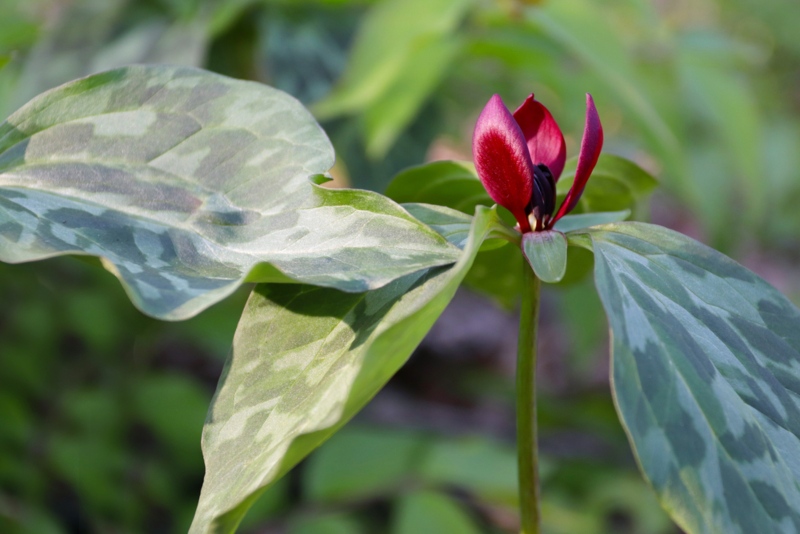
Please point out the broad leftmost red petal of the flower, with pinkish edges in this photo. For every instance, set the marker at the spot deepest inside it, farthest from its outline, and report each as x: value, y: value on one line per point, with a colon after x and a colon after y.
x: 502, y: 160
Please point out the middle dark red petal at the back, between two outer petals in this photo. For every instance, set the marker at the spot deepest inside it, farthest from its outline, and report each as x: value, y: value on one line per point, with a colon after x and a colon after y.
x: 545, y: 140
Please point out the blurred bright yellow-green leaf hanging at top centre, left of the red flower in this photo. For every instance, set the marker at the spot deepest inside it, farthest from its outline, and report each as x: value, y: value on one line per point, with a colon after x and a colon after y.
x: 402, y: 52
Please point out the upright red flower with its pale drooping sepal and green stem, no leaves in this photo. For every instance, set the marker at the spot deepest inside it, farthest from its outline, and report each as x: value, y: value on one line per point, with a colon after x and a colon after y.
x: 519, y: 159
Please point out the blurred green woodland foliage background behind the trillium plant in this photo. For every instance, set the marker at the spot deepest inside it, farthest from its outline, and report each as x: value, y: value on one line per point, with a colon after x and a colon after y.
x: 101, y: 408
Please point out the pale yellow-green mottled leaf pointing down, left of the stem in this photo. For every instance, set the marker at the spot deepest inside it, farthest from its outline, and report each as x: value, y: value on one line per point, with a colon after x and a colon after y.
x: 305, y: 359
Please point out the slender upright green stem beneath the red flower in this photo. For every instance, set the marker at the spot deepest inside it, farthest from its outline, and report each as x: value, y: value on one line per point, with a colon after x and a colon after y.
x: 527, y: 448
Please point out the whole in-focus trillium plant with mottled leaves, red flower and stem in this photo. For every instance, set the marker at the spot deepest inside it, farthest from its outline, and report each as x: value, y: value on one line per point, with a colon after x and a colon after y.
x: 185, y: 184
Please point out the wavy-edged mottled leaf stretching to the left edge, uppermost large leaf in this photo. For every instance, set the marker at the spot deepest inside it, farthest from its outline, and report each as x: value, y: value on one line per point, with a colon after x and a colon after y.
x: 185, y: 181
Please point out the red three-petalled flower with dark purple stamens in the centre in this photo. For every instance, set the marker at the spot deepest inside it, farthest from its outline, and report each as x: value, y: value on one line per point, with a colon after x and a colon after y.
x: 520, y: 158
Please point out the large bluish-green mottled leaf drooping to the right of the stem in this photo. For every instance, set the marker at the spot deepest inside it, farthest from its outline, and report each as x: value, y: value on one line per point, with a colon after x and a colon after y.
x: 706, y: 376
